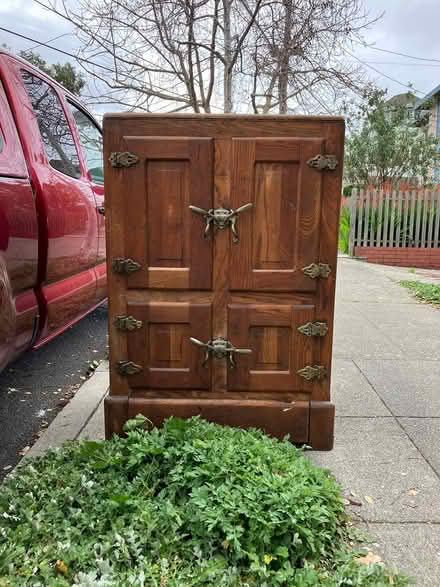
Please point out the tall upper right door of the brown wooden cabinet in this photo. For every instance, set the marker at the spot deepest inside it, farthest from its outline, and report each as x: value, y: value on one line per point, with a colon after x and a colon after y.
x: 279, y: 235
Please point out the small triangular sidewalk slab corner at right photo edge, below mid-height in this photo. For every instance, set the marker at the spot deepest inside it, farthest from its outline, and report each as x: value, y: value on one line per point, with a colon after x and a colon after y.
x: 425, y: 433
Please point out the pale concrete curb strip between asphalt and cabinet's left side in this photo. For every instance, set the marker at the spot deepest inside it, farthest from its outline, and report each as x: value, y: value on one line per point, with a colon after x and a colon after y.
x: 74, y: 418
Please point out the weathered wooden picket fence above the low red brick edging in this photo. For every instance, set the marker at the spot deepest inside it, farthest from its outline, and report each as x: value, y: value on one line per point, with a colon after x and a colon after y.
x: 394, y: 219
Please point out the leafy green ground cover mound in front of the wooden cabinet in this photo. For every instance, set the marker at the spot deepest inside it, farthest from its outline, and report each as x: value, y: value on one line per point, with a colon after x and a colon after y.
x: 190, y: 504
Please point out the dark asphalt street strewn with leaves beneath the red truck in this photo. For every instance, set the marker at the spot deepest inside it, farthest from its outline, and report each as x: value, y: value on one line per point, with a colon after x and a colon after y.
x: 38, y: 385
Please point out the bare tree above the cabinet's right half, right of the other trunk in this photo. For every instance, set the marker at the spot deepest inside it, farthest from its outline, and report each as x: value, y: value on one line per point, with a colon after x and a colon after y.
x: 300, y: 64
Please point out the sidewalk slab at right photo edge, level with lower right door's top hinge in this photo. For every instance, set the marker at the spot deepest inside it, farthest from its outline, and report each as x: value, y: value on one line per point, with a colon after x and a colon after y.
x: 416, y: 332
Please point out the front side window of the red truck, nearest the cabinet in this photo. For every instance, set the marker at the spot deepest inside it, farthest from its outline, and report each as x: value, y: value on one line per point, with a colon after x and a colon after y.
x: 90, y: 138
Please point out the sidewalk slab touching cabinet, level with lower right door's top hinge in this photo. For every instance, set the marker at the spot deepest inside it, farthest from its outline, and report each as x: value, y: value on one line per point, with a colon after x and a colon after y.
x: 355, y: 337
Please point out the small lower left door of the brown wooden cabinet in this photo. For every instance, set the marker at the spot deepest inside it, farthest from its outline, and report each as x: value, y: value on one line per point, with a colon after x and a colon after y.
x: 162, y: 346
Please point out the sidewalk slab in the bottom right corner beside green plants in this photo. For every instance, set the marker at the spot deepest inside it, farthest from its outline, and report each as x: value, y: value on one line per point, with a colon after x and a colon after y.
x: 420, y: 544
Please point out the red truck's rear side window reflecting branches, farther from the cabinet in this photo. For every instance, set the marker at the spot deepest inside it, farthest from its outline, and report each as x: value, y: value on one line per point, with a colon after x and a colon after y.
x: 58, y: 140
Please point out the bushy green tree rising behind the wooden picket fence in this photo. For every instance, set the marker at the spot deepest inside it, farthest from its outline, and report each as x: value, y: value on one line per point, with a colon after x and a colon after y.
x: 387, y: 148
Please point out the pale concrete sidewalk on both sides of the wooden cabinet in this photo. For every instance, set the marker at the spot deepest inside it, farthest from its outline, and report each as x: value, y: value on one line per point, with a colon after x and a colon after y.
x: 386, y: 386
